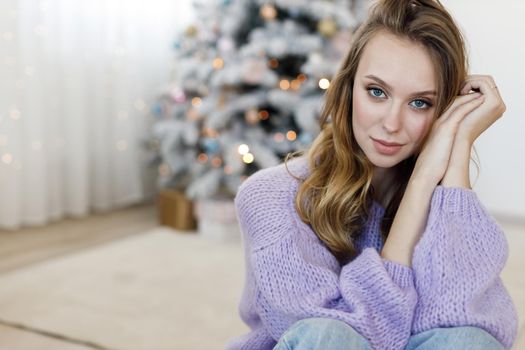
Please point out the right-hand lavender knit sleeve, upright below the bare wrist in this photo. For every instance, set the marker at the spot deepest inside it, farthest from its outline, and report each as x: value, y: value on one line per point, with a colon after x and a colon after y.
x: 456, y: 267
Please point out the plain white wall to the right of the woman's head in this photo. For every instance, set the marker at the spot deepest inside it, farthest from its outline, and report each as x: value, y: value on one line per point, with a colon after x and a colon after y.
x: 494, y: 32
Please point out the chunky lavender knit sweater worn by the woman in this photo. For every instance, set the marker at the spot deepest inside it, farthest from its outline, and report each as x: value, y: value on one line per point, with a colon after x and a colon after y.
x: 291, y: 275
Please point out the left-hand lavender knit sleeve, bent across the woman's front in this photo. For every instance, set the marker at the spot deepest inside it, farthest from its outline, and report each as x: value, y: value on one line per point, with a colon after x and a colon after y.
x: 293, y: 276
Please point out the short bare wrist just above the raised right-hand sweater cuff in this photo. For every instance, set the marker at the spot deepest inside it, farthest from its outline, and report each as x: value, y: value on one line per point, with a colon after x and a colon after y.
x: 457, y: 174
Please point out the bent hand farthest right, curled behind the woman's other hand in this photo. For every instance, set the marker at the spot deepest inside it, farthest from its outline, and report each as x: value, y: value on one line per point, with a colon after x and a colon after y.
x: 490, y: 110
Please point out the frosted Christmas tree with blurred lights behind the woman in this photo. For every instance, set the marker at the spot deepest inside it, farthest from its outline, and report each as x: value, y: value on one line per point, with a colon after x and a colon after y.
x: 248, y: 86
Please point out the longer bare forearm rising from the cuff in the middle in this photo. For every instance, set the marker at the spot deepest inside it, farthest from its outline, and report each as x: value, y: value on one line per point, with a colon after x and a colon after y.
x: 409, y: 222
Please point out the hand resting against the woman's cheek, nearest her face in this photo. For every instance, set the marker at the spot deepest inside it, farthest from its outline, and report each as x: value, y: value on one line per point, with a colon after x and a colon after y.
x: 433, y: 161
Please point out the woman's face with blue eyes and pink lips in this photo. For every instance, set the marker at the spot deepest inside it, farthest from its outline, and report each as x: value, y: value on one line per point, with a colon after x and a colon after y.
x: 394, y: 95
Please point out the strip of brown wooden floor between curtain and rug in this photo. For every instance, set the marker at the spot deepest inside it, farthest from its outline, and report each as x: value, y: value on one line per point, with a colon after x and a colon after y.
x: 32, y: 245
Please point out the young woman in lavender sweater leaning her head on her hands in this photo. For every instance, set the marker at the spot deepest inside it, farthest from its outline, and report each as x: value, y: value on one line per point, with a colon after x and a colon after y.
x: 374, y: 239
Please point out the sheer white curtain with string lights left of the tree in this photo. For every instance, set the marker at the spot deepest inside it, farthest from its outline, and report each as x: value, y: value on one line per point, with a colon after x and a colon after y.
x: 76, y: 80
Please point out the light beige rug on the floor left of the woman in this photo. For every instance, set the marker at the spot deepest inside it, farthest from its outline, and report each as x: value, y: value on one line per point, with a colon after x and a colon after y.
x: 158, y: 290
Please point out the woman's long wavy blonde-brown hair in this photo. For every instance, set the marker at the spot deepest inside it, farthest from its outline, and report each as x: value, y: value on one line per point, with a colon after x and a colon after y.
x: 335, y: 197
